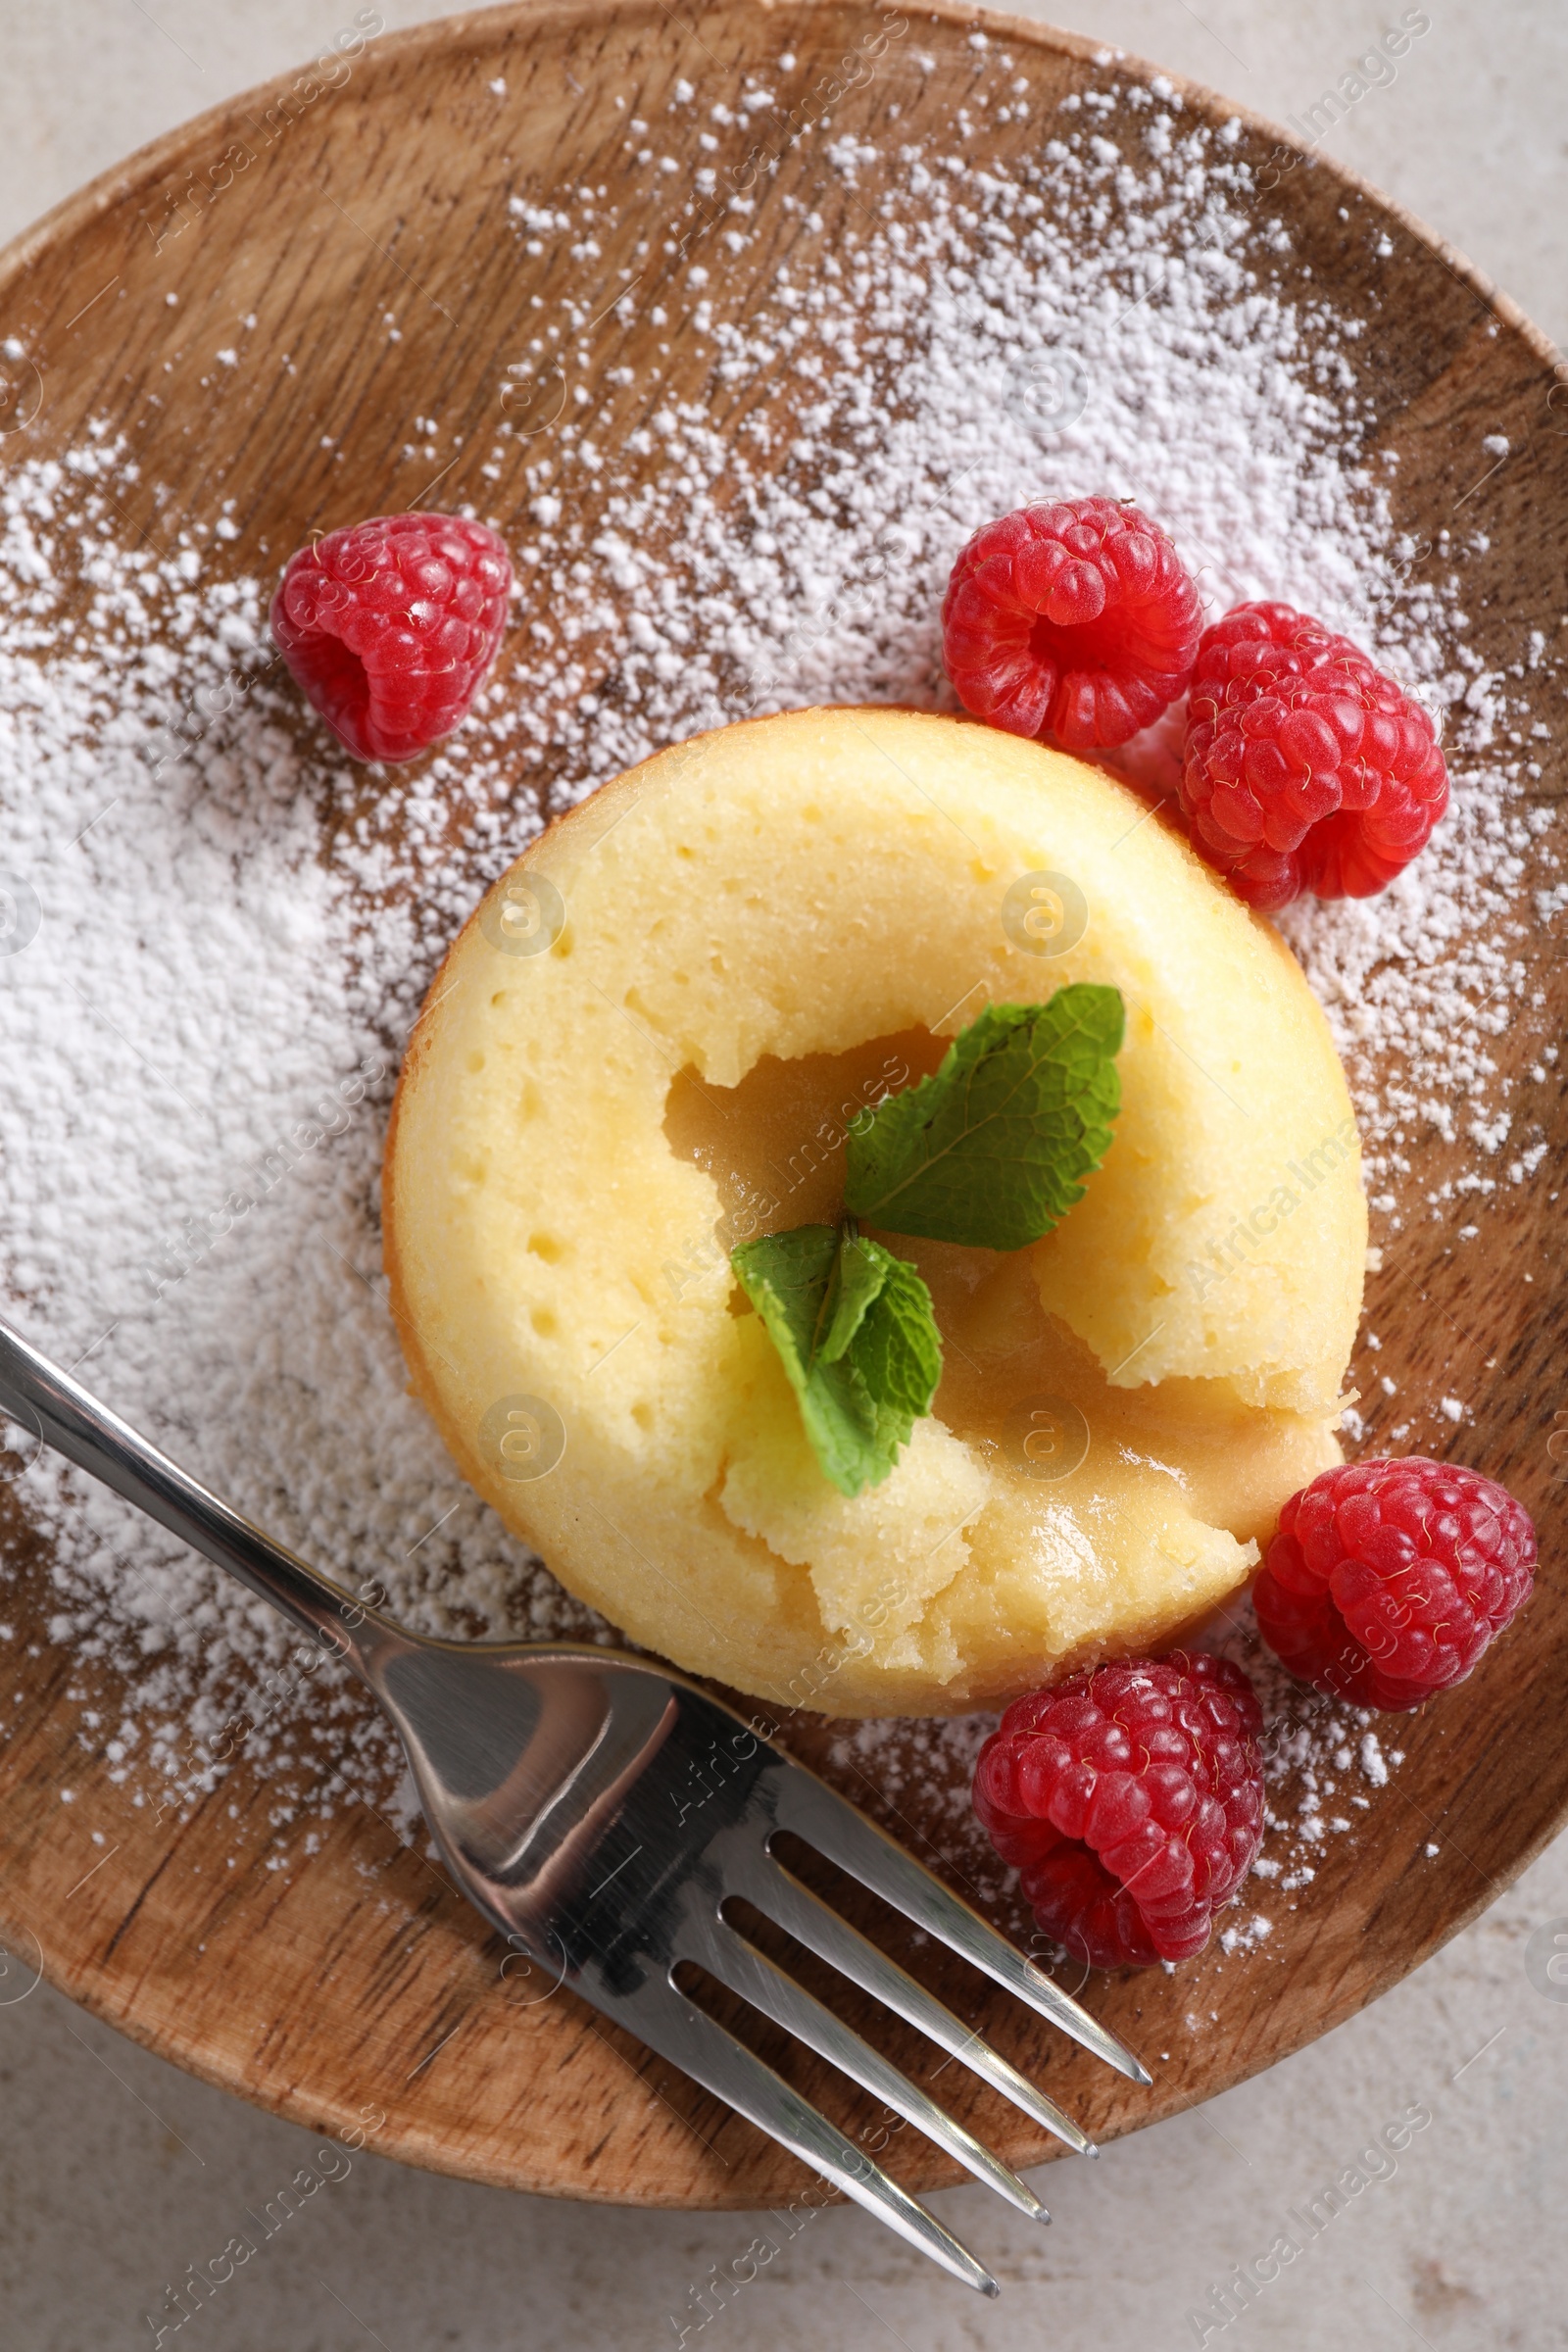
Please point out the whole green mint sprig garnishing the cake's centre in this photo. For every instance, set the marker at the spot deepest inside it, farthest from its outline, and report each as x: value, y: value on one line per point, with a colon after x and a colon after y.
x: 991, y: 1151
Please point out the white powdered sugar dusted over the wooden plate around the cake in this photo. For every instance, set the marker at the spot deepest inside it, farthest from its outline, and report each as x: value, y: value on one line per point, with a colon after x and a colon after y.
x: 229, y: 928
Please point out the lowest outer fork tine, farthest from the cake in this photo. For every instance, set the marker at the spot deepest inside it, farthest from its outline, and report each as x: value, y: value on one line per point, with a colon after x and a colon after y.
x: 662, y: 2017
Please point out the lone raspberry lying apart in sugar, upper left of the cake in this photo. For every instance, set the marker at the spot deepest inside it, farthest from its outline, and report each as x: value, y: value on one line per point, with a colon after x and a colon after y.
x: 389, y: 627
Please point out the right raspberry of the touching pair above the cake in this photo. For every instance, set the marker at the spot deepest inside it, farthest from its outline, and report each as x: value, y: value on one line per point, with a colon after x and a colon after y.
x: 1306, y: 768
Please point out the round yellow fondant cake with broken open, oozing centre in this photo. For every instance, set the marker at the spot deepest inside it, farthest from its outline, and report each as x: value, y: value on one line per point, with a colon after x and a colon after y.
x: 650, y: 1045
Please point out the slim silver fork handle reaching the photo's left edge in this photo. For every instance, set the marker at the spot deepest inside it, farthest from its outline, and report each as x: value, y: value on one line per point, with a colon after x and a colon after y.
x: 67, y: 1417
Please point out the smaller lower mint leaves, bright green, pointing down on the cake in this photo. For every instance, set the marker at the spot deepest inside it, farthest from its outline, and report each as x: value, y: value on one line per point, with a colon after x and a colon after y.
x: 857, y: 1337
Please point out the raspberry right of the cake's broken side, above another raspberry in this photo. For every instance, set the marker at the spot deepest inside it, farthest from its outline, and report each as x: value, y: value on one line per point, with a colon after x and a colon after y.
x: 1388, y: 1579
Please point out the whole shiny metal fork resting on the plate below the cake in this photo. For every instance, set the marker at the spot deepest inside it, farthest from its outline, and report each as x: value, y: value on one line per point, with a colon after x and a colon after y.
x: 601, y: 1812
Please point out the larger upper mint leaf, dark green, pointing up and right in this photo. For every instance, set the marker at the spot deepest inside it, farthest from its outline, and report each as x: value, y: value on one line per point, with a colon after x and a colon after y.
x: 993, y: 1147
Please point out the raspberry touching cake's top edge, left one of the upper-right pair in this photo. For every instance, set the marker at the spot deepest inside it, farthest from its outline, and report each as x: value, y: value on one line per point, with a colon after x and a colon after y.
x: 1073, y: 620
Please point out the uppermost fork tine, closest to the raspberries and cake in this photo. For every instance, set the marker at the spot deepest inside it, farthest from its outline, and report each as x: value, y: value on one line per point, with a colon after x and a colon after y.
x: 847, y: 1838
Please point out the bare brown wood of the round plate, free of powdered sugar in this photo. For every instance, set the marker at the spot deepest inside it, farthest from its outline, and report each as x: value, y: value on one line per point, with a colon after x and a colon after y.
x: 354, y: 1991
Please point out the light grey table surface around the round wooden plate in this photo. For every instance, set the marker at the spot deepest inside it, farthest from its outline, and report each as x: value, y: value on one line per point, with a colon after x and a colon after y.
x: 116, y: 2172
